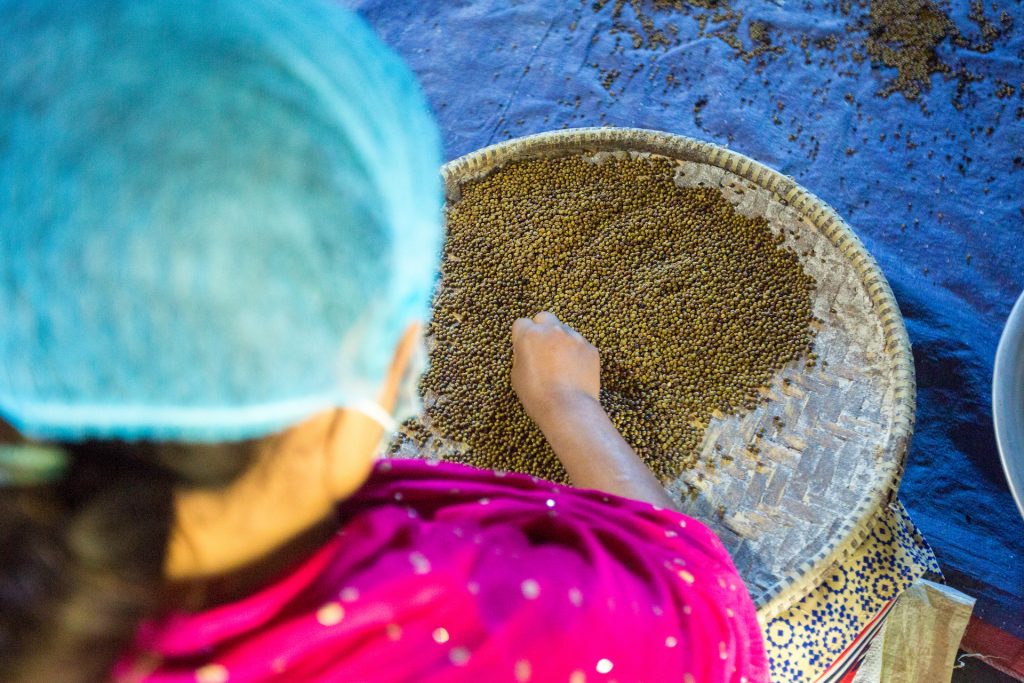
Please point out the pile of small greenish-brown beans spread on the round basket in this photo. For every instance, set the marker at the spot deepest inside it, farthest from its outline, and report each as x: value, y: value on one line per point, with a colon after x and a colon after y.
x: 693, y: 307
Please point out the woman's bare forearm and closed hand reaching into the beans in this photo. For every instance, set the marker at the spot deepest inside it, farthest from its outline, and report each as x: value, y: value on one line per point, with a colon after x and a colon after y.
x: 558, y: 375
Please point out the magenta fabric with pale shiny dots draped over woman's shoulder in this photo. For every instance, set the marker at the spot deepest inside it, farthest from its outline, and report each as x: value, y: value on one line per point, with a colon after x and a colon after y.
x: 445, y: 573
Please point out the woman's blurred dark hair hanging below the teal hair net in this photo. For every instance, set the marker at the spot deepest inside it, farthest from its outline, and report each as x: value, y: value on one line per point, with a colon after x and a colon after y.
x: 82, y: 560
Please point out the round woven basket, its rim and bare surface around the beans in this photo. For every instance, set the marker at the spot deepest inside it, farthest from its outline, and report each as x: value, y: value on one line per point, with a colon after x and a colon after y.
x: 832, y: 440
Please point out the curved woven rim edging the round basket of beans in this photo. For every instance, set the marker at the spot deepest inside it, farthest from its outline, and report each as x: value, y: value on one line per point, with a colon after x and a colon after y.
x: 890, y: 458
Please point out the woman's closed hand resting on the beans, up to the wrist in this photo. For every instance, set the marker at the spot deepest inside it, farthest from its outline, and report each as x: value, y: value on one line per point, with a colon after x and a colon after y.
x: 553, y: 367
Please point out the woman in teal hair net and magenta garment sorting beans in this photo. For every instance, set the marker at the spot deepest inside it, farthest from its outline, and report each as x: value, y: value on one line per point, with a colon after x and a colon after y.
x: 221, y: 229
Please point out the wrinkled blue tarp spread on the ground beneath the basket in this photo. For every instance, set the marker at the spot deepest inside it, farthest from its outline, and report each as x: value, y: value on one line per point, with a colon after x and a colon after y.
x: 933, y: 191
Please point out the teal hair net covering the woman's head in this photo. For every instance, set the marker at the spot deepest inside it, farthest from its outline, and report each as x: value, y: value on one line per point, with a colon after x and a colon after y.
x: 217, y: 217
